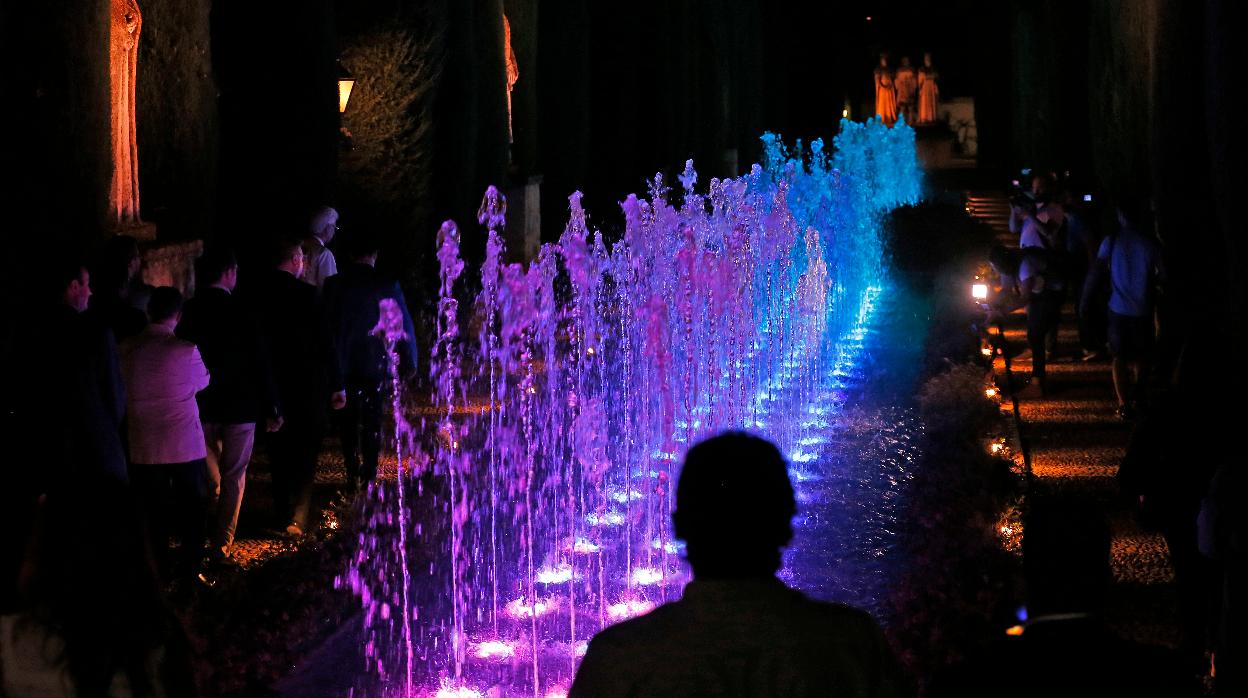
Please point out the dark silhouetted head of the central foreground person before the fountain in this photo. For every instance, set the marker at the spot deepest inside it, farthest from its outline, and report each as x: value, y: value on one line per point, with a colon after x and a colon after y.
x: 734, y: 508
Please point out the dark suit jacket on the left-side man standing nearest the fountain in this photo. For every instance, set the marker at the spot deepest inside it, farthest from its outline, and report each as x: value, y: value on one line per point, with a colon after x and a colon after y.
x: 353, y: 302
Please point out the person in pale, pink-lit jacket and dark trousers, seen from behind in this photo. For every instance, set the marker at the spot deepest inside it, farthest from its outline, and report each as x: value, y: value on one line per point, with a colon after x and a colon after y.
x: 168, y: 454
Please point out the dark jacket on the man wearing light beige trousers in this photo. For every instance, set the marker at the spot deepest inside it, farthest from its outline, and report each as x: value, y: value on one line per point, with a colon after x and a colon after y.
x: 224, y: 328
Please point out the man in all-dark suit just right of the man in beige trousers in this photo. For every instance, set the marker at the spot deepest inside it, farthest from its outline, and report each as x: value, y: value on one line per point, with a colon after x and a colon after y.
x: 308, y: 381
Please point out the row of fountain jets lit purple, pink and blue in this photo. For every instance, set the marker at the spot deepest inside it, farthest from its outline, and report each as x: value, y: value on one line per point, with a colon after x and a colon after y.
x: 534, y: 503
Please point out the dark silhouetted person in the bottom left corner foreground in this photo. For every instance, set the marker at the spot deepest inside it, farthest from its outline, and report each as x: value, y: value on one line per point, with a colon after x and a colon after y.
x: 92, y: 621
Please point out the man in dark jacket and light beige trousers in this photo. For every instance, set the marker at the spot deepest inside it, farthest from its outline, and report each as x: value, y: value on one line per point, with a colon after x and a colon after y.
x: 241, y: 395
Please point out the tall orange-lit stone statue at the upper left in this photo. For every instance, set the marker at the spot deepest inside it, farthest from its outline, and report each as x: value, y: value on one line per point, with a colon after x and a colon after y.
x: 127, y: 23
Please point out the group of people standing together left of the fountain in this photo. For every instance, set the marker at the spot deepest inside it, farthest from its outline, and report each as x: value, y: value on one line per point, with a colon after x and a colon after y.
x: 147, y: 404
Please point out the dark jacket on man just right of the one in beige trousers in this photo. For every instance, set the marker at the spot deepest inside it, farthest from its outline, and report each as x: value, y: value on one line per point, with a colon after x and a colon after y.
x: 293, y: 327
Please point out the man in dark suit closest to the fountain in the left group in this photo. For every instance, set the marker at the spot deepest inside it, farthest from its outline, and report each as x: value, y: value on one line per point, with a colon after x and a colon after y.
x: 353, y: 300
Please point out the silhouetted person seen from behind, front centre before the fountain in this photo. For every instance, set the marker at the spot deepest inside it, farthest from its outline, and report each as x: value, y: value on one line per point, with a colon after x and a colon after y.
x: 739, y: 631
